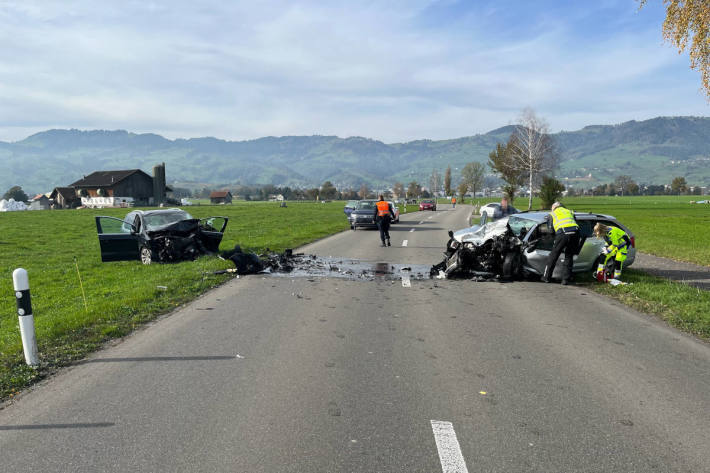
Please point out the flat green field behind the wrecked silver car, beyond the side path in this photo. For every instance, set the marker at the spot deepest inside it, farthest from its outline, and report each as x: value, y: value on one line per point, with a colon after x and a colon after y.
x: 667, y: 226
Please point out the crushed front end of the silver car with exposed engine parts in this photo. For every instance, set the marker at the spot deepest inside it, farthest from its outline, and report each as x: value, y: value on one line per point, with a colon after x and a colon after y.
x: 495, y: 257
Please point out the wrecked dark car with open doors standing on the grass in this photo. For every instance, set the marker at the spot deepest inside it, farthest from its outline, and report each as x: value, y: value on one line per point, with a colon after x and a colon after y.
x: 164, y: 235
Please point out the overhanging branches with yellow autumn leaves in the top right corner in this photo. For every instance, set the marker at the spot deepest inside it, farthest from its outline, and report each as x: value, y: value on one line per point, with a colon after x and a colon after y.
x: 688, y: 21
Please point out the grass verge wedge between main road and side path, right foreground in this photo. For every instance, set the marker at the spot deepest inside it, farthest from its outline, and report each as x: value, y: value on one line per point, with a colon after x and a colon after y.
x: 684, y: 307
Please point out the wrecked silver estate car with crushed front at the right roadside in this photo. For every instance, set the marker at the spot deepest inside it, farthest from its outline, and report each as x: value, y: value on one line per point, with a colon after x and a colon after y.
x: 518, y: 246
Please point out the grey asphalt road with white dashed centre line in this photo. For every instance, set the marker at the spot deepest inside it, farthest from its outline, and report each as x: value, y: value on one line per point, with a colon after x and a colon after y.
x: 299, y: 374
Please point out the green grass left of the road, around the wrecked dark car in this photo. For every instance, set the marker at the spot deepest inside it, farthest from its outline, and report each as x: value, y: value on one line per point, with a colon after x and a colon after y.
x: 120, y: 295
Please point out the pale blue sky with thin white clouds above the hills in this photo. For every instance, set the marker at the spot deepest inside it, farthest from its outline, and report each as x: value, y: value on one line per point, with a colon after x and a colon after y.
x: 394, y: 70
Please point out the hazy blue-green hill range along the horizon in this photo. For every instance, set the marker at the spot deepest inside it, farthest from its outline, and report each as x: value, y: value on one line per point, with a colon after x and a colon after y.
x: 651, y: 151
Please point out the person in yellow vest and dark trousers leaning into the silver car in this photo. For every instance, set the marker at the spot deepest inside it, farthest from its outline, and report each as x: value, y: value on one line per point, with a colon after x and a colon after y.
x: 566, y: 238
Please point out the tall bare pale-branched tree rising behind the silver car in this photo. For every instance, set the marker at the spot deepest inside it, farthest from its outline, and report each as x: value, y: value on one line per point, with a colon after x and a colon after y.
x: 532, y: 150
